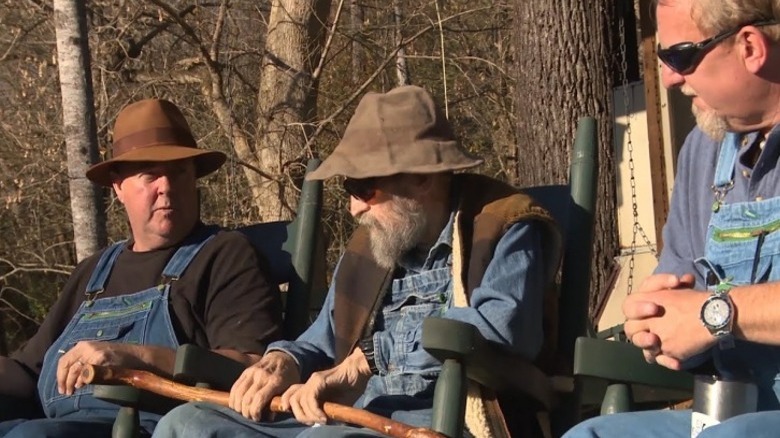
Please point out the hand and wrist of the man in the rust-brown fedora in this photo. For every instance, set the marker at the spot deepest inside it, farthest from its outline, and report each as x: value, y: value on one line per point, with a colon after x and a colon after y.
x: 70, y: 365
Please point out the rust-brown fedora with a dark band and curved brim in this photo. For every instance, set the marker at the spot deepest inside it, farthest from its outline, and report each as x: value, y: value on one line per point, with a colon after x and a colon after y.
x: 153, y: 130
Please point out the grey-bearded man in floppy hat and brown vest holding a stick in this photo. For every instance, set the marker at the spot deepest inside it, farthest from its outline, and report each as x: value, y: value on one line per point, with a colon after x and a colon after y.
x: 430, y: 243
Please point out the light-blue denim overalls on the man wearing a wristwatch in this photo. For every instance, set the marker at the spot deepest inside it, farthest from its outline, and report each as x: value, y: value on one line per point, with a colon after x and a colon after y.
x: 743, y: 247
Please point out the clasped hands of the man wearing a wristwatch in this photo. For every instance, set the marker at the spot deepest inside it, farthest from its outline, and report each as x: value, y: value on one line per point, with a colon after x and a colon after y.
x: 662, y: 318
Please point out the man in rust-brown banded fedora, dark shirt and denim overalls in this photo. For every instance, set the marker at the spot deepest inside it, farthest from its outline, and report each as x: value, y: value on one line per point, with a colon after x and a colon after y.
x: 174, y: 281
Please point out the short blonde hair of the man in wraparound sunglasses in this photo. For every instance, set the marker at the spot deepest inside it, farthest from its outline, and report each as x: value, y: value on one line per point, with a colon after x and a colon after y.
x: 713, y: 16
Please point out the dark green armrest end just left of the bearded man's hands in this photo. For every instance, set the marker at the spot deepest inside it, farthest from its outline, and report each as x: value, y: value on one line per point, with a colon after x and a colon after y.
x: 200, y: 366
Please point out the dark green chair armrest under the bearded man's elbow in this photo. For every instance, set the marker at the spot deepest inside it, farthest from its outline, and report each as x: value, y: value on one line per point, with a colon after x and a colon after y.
x: 485, y: 362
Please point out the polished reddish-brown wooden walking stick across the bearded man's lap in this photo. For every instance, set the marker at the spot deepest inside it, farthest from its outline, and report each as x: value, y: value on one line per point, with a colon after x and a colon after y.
x: 94, y: 374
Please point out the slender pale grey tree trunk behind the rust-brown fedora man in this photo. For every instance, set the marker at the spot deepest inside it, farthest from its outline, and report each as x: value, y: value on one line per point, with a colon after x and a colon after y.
x: 89, y: 223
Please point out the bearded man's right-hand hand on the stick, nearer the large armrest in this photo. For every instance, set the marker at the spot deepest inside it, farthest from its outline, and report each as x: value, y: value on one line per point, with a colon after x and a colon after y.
x: 343, y: 384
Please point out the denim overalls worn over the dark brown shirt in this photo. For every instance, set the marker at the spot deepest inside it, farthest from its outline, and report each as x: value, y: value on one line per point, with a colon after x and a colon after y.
x: 137, y: 318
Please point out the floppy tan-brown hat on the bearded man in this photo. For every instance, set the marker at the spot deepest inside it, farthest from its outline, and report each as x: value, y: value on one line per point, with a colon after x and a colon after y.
x: 401, y: 131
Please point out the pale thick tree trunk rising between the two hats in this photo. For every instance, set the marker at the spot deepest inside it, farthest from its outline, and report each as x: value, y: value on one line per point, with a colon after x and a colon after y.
x: 287, y: 104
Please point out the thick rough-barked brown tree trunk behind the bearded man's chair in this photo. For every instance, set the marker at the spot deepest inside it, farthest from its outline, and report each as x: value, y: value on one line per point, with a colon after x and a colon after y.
x: 563, y: 62
